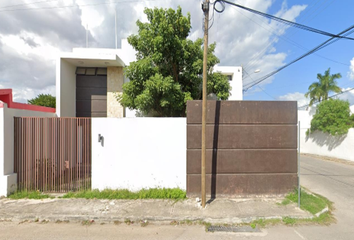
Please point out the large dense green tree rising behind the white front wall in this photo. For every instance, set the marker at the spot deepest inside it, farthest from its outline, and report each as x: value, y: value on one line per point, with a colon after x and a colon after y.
x: 168, y: 70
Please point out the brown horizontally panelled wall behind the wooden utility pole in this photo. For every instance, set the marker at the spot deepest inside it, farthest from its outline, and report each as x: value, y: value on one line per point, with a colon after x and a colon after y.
x: 251, y: 148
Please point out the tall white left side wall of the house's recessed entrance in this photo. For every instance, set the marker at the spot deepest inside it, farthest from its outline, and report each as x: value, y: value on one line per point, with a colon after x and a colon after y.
x: 65, y: 89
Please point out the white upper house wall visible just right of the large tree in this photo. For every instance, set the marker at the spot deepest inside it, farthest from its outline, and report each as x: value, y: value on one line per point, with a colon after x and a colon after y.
x: 236, y: 82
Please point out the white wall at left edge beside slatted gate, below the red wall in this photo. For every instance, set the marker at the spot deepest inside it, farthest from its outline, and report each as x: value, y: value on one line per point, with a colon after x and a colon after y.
x: 7, y: 176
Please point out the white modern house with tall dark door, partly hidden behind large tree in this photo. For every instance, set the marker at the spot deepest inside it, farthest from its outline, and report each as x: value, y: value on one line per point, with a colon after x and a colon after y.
x: 88, y: 78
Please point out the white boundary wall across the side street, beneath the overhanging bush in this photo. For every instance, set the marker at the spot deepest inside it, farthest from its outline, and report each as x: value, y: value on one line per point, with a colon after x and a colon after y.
x: 324, y: 144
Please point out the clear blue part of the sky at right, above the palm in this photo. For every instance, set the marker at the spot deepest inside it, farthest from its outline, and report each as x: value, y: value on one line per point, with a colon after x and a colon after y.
x: 330, y: 16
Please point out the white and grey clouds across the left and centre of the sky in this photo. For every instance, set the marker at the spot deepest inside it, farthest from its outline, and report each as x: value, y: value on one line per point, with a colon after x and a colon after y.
x: 30, y: 40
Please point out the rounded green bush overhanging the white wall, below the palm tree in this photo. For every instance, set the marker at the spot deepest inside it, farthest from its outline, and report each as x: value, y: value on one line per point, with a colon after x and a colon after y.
x: 333, y: 117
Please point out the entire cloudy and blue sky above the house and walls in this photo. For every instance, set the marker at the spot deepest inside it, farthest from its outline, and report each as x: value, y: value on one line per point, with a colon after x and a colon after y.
x: 34, y: 32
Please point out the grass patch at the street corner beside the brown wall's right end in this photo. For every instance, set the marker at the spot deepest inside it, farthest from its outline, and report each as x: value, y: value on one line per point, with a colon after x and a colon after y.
x: 312, y: 203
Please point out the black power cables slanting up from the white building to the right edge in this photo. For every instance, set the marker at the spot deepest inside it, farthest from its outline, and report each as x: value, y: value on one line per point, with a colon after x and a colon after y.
x: 319, y: 47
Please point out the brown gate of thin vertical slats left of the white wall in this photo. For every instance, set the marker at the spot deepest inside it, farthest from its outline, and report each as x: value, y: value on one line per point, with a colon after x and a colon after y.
x: 52, y: 154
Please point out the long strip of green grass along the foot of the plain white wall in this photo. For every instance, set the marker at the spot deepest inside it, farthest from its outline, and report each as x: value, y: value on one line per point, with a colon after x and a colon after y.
x: 152, y: 193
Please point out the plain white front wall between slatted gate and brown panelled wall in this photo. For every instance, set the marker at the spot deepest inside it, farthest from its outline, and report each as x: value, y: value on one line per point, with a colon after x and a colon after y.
x: 139, y: 153
